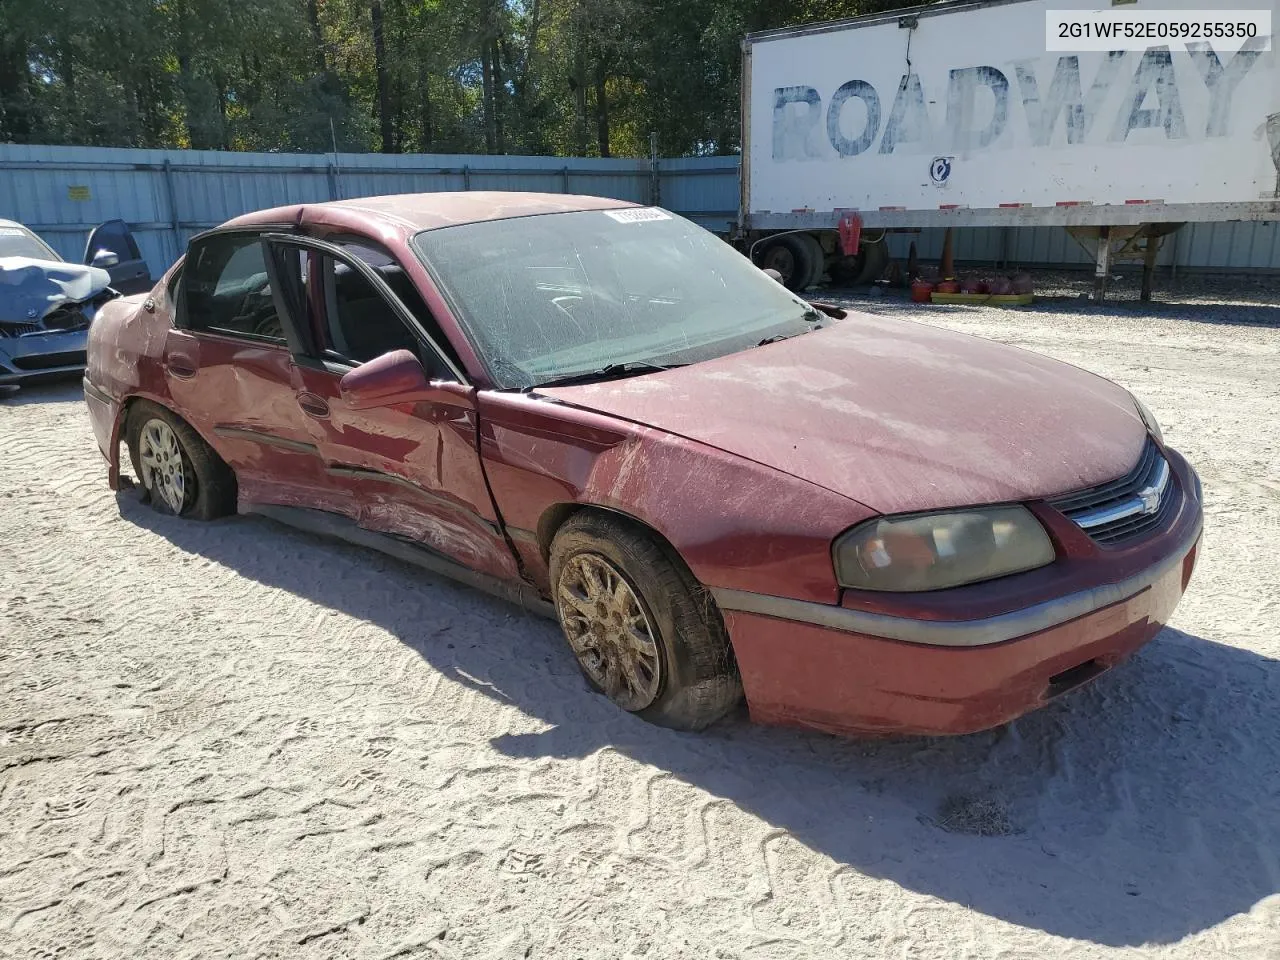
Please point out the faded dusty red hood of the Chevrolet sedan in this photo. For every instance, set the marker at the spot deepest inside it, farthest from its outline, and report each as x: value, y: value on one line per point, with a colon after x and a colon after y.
x: 897, y: 415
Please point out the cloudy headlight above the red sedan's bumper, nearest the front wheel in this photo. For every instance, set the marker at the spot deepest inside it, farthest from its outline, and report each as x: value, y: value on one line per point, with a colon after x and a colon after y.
x: 935, y: 551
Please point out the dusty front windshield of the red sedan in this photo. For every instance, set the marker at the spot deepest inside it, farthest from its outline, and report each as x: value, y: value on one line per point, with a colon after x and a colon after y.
x: 552, y: 296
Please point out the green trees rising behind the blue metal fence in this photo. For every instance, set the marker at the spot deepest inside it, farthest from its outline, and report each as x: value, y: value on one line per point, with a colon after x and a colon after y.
x: 564, y: 77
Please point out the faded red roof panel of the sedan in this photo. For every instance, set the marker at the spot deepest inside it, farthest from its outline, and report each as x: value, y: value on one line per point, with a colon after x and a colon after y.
x: 412, y: 213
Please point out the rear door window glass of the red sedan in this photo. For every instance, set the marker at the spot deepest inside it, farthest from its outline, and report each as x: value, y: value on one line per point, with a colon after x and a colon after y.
x: 226, y: 290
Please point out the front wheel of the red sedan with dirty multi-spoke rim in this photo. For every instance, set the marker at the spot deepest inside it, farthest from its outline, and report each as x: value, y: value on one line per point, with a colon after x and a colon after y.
x: 694, y: 679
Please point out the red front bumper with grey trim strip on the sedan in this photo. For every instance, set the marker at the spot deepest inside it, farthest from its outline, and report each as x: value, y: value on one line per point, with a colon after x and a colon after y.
x: 821, y: 671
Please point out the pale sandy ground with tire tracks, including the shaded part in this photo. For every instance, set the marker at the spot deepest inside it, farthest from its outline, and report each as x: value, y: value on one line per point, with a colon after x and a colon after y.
x: 236, y: 740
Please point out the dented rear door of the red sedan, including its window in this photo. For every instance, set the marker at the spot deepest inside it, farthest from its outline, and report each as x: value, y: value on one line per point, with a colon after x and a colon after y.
x: 230, y: 369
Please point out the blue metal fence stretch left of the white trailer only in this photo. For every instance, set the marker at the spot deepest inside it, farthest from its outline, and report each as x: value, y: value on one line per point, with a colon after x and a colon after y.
x: 167, y: 196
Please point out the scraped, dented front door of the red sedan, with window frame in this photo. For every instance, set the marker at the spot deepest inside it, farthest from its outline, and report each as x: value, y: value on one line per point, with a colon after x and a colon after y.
x: 413, y: 470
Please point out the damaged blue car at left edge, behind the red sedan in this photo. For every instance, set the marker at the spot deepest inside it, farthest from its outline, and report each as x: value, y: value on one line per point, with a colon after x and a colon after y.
x: 48, y: 304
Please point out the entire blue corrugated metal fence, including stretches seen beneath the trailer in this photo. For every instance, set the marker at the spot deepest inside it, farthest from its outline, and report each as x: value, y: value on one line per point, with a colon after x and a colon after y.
x: 167, y: 196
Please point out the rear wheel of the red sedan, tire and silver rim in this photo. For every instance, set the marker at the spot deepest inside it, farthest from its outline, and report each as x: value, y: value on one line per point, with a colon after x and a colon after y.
x: 207, y: 486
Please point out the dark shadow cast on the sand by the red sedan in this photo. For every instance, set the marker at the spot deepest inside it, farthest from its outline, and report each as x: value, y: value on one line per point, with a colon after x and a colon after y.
x: 1142, y: 810
